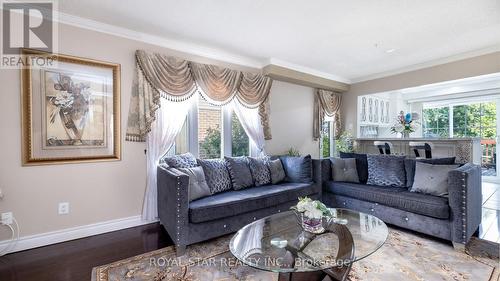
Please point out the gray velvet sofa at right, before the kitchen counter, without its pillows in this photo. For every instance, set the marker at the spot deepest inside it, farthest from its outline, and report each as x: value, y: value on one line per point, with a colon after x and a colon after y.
x: 454, y: 218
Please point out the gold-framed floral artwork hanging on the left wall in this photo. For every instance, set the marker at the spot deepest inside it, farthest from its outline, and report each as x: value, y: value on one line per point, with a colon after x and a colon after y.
x: 70, y: 110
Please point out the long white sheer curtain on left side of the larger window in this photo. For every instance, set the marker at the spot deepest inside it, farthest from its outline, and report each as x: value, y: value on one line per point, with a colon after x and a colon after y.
x: 169, y: 120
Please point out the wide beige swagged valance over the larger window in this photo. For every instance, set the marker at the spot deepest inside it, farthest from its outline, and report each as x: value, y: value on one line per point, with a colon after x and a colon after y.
x: 159, y: 76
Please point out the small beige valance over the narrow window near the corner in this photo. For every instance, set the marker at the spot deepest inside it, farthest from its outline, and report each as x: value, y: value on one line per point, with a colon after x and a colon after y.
x: 326, y: 103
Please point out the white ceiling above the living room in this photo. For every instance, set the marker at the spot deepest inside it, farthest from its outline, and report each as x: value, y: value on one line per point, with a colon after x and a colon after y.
x: 344, y: 40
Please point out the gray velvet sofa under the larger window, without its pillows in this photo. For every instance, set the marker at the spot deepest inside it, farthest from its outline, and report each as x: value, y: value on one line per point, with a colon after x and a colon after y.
x: 226, y: 212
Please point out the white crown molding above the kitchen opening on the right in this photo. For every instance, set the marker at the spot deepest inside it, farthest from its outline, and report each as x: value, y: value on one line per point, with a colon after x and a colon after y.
x: 436, y: 62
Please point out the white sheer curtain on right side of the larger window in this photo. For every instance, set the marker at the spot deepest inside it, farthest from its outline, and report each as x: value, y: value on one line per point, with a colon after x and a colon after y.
x: 250, y: 121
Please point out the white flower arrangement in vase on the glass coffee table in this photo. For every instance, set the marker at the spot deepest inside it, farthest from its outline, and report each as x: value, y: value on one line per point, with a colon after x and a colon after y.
x: 310, y: 214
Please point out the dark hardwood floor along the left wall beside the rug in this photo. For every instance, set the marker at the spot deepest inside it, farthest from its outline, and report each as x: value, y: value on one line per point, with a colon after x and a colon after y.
x: 74, y: 260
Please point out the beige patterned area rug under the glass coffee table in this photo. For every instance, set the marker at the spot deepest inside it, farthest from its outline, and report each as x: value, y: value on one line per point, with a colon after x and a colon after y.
x: 405, y: 256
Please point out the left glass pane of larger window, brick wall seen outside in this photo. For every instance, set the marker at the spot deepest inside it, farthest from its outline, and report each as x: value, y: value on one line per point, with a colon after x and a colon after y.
x: 209, y: 130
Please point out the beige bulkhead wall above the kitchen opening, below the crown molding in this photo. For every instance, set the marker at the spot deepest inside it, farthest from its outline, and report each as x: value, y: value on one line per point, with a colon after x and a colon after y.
x: 471, y: 67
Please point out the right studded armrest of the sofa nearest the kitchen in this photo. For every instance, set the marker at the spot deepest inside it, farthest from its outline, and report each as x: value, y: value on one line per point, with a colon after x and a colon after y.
x: 465, y: 198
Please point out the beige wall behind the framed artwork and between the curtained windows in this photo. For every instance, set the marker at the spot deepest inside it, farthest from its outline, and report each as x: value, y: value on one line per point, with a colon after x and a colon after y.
x: 105, y: 191
